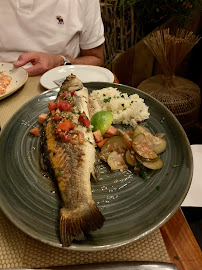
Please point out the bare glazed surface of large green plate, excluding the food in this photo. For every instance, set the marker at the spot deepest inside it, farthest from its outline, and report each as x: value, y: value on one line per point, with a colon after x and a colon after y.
x: 133, y: 207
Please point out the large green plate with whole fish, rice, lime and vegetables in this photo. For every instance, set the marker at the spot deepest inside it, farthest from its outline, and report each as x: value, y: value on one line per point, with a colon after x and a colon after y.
x: 135, y: 149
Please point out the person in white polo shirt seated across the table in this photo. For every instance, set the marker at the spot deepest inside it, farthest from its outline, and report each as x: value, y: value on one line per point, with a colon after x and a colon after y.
x: 51, y: 33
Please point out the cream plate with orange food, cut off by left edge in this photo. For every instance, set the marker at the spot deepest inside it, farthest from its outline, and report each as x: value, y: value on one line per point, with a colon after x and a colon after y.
x: 11, y: 79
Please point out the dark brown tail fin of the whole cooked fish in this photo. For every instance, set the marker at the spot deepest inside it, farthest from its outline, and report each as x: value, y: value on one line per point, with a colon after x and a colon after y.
x: 74, y: 224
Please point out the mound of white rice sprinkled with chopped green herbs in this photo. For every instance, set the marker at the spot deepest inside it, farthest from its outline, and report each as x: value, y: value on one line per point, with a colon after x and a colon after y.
x: 126, y: 109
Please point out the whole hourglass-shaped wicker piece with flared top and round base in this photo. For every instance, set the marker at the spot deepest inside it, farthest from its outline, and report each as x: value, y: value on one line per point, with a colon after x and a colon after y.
x: 181, y: 96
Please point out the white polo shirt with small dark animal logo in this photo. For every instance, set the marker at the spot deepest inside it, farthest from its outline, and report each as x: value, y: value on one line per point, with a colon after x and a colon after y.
x: 59, y: 27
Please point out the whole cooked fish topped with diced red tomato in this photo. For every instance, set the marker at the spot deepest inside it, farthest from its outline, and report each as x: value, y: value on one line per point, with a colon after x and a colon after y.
x: 70, y: 147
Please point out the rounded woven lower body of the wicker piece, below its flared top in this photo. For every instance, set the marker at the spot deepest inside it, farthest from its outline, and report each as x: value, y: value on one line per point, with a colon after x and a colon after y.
x: 179, y: 95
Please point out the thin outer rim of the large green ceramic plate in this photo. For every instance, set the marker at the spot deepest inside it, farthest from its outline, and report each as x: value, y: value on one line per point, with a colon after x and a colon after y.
x: 78, y: 247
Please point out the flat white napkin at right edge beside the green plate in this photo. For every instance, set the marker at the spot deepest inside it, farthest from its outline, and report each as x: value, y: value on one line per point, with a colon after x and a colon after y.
x: 194, y: 196
